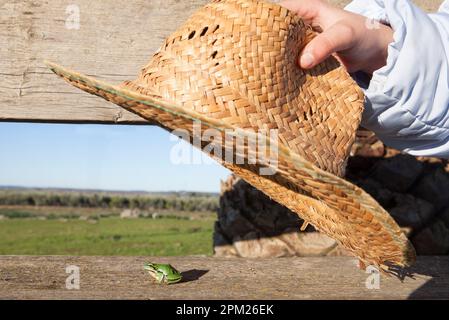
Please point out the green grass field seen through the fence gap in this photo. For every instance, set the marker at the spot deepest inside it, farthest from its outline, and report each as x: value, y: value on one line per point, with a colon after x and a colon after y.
x: 105, y: 236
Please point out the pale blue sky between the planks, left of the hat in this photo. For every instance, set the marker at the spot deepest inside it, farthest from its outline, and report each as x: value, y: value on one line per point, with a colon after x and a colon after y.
x: 102, y: 157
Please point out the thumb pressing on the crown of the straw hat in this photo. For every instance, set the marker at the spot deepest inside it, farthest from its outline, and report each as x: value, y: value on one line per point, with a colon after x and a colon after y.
x: 336, y: 38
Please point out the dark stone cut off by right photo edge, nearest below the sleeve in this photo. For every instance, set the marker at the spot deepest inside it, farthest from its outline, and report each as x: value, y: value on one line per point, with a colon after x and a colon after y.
x: 434, y: 187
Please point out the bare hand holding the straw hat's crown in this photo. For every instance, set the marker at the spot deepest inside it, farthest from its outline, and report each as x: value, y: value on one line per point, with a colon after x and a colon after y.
x: 361, y: 44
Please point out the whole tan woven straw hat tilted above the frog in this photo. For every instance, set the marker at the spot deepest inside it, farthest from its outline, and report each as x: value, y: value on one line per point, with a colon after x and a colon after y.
x: 232, y: 68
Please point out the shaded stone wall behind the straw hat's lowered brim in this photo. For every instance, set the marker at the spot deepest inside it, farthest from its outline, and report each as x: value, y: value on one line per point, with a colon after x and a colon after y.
x: 414, y: 190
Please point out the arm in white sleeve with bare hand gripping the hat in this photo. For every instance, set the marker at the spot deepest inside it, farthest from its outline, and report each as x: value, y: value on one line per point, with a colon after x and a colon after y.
x: 407, y: 98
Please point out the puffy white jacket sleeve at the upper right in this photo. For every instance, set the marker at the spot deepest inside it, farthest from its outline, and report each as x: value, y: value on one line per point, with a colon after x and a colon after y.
x: 407, y: 101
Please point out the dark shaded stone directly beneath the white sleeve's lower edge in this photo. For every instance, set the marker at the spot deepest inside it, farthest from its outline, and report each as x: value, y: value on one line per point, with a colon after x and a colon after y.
x: 397, y: 173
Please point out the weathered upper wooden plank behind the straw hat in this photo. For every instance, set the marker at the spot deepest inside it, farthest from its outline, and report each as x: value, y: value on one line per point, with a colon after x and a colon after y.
x: 114, y: 40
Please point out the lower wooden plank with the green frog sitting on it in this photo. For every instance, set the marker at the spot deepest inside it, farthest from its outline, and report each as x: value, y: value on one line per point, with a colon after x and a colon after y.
x: 44, y: 277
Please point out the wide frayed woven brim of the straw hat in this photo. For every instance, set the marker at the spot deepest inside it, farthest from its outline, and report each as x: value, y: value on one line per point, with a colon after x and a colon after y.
x: 331, y: 204
